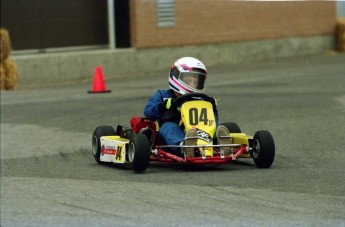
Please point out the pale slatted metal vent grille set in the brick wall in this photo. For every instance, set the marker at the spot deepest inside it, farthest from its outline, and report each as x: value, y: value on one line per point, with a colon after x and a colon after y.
x: 165, y: 13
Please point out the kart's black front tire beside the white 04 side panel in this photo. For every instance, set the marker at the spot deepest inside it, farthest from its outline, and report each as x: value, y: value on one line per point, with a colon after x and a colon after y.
x: 139, y: 151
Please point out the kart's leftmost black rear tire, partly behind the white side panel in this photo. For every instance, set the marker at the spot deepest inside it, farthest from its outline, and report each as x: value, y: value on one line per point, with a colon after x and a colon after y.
x: 96, y: 140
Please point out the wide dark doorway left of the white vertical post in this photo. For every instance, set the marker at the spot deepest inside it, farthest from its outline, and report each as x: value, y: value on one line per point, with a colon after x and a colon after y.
x: 41, y: 24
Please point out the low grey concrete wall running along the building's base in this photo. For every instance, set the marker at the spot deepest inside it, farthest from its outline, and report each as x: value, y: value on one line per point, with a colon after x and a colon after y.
x: 55, y: 68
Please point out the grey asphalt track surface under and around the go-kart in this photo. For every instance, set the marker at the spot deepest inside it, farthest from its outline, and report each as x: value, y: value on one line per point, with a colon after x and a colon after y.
x: 49, y: 177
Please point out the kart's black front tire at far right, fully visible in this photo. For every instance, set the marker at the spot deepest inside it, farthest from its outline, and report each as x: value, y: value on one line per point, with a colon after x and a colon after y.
x: 263, y: 149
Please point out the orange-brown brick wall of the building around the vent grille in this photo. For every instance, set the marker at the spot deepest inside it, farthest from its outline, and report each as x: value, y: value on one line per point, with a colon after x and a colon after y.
x: 219, y: 21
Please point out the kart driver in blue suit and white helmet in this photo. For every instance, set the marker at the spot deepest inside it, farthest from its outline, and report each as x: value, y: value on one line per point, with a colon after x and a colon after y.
x: 187, y: 75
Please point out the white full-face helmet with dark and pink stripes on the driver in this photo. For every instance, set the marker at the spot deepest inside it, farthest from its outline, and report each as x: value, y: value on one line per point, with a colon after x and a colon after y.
x: 187, y: 75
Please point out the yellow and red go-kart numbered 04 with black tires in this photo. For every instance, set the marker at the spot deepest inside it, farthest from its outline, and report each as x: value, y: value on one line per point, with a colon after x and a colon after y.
x: 140, y: 144
